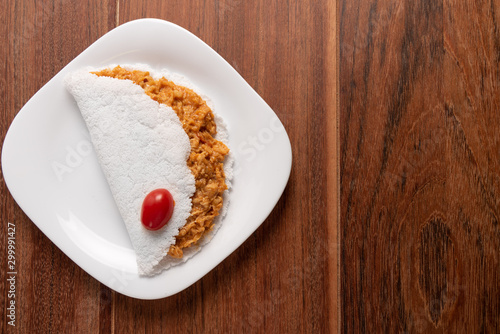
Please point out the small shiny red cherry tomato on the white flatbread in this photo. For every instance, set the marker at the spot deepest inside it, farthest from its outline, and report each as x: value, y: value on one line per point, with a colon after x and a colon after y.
x: 157, y: 209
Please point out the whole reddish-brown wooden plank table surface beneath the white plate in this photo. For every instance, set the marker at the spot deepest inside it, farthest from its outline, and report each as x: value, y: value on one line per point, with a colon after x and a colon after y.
x: 389, y: 222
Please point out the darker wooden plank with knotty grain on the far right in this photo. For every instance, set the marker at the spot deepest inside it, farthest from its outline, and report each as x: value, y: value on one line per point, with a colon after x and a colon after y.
x: 419, y: 166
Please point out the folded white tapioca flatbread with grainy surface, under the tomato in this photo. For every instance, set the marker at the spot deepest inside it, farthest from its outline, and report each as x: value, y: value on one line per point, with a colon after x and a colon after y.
x: 141, y: 145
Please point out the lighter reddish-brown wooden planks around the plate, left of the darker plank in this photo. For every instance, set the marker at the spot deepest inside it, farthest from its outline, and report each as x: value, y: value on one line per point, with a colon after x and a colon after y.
x: 284, y: 277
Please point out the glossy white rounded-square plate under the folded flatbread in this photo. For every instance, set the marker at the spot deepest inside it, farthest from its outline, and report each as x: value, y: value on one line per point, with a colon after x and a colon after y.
x: 52, y: 172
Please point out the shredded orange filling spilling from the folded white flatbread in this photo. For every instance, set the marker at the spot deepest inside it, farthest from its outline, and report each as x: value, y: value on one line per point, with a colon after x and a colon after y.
x: 206, y: 157
